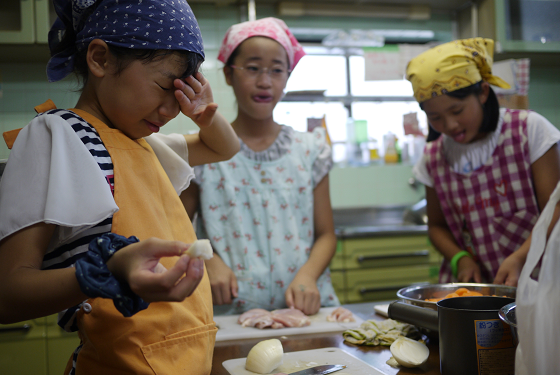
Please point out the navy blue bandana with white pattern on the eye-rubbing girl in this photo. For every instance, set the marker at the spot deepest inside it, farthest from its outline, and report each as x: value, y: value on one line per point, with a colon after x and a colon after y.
x: 136, y: 24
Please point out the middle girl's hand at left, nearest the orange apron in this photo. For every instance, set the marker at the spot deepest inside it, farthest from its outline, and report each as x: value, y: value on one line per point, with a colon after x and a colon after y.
x: 222, y: 281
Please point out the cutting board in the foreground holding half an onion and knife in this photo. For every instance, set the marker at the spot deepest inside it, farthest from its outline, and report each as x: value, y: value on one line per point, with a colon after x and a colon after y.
x: 297, y: 361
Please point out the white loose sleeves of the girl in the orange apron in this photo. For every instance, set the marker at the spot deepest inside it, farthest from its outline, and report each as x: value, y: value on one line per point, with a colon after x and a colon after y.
x: 53, y: 178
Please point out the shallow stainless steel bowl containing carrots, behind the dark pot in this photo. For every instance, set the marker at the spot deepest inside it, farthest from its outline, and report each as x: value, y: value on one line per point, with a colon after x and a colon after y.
x: 417, y: 294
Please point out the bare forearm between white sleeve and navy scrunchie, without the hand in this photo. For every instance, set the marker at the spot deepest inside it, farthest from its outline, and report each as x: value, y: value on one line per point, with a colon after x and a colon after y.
x: 26, y: 291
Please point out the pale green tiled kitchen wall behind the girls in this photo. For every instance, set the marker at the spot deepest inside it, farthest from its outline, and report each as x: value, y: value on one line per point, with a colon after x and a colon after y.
x: 24, y: 86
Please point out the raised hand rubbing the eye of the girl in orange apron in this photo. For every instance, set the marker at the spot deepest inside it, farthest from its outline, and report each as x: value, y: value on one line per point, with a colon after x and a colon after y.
x: 195, y: 98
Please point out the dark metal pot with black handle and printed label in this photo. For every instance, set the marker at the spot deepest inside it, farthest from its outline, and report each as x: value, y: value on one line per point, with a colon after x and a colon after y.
x: 472, y: 338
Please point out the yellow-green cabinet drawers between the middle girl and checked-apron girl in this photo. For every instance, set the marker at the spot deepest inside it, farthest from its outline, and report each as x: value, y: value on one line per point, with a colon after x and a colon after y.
x: 374, y: 268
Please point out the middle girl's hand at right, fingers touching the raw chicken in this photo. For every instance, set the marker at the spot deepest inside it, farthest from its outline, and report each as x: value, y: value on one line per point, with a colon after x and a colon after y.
x: 303, y: 294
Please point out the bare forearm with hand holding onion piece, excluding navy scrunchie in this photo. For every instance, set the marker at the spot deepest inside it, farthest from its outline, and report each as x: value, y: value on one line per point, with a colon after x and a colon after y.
x: 28, y: 292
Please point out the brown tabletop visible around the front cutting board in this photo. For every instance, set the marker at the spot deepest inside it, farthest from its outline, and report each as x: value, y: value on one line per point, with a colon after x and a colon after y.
x: 376, y: 356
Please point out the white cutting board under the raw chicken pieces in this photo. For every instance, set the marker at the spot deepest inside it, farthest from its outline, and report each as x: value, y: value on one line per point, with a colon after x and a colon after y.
x: 229, y: 329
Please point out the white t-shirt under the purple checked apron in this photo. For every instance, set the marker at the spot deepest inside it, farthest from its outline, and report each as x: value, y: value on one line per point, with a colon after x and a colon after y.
x: 465, y: 158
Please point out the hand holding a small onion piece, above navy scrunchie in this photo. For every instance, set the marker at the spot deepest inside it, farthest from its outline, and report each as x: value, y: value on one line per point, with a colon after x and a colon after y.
x: 138, y: 264
